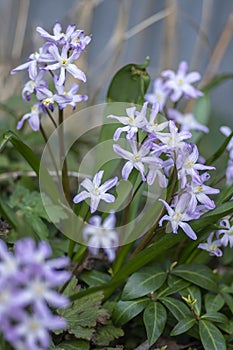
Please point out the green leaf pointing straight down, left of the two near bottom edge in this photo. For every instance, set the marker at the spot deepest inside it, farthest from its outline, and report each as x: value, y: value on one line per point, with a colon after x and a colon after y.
x: 154, y: 317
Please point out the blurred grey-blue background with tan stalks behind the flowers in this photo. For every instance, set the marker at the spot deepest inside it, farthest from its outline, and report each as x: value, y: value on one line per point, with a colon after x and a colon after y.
x: 126, y: 31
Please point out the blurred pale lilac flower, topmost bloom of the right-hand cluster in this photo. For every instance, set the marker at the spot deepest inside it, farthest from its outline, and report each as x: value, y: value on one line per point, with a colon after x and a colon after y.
x: 181, y: 83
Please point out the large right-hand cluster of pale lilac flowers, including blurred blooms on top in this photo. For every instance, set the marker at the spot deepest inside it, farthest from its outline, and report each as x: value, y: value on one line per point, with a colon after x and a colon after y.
x: 165, y: 151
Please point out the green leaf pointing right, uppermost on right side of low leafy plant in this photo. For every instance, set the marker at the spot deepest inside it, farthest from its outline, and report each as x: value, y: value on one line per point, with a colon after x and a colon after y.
x: 198, y: 274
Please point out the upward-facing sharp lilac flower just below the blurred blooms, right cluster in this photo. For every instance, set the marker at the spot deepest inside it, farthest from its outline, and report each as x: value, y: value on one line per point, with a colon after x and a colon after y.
x: 174, y: 140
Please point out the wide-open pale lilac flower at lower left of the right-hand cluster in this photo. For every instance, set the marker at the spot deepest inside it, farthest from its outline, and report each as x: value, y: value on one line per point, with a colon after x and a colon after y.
x: 136, y: 159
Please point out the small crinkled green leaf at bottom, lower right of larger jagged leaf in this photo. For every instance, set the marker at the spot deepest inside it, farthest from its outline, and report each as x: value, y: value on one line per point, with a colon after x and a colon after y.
x: 107, y: 333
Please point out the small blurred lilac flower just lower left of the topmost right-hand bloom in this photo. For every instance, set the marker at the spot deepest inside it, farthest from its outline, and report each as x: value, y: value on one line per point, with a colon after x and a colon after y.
x: 159, y: 95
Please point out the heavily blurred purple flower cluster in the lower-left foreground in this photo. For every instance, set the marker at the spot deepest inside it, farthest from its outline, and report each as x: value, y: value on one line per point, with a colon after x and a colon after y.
x: 28, y: 279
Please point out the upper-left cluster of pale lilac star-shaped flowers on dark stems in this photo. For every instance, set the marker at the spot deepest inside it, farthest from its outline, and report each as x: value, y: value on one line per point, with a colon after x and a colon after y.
x: 57, y: 56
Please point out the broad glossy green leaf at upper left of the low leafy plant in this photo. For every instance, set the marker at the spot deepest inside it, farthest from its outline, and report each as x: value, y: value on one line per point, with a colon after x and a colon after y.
x: 146, y: 280
